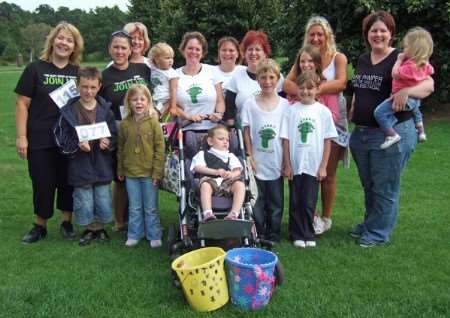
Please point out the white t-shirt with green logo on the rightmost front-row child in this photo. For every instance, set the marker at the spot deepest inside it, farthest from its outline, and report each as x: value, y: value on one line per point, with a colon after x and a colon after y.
x: 306, y: 127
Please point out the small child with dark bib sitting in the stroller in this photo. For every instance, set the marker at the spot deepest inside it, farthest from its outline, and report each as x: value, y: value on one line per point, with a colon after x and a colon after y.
x: 220, y: 174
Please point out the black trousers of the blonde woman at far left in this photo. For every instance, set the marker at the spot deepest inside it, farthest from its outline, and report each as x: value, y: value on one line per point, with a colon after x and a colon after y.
x: 48, y: 173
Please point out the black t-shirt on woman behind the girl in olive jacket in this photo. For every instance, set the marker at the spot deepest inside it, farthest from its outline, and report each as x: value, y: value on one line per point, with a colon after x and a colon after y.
x: 116, y: 83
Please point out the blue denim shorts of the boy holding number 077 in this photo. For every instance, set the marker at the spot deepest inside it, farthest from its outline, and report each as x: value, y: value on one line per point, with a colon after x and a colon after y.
x: 92, y: 203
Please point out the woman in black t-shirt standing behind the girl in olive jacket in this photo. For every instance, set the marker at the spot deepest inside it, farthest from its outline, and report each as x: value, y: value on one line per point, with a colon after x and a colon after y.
x: 117, y: 78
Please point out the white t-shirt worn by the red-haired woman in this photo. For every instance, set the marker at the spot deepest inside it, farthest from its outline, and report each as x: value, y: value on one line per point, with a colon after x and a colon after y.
x: 244, y: 87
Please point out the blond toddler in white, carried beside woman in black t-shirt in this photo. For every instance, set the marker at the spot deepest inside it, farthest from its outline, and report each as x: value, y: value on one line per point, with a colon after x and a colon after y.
x: 164, y: 78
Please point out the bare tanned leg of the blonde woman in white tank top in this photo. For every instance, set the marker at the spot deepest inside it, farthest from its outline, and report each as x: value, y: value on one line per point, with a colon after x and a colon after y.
x: 328, y: 186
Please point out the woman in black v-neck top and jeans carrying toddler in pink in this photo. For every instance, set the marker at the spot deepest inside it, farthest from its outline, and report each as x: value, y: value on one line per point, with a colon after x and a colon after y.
x: 380, y: 170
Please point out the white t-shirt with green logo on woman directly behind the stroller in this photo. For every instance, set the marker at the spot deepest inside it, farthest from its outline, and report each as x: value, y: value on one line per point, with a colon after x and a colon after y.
x: 197, y: 94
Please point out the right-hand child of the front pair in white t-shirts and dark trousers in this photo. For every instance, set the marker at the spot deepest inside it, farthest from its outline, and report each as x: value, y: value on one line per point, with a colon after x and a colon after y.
x: 306, y: 130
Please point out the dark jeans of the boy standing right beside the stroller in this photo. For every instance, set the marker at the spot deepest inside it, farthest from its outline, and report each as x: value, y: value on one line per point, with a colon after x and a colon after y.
x: 268, y: 208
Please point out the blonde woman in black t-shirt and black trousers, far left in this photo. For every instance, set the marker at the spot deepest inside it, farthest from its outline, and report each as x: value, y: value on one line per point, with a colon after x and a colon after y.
x: 36, y: 114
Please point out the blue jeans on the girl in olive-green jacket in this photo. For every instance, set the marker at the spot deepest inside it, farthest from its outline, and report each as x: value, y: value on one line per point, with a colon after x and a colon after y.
x: 143, y: 209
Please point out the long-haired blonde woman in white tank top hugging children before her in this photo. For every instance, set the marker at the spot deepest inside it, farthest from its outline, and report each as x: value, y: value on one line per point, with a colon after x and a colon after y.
x: 318, y: 33
